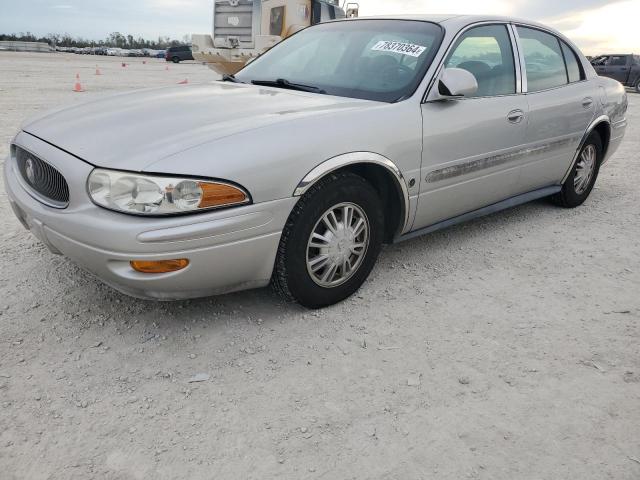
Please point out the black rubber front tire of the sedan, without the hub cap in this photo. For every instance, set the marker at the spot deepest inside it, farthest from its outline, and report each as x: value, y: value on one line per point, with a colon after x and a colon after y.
x: 290, y: 278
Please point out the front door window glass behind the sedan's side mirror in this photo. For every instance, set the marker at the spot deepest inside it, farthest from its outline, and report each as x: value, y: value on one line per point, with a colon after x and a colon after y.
x: 486, y: 52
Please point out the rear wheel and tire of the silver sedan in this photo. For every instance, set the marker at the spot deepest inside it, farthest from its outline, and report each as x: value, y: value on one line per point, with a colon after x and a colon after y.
x: 582, y: 177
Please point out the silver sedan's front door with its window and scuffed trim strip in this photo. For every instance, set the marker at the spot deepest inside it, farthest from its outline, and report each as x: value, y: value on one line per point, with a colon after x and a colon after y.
x: 470, y: 145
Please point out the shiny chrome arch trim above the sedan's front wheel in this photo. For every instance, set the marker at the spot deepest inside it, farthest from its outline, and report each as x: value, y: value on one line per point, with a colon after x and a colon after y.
x: 354, y: 158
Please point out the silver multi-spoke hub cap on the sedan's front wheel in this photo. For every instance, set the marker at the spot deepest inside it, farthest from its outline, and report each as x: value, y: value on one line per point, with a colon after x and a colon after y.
x: 337, y: 244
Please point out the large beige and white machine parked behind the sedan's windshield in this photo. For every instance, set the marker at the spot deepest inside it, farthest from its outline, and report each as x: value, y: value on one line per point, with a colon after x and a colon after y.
x: 243, y: 30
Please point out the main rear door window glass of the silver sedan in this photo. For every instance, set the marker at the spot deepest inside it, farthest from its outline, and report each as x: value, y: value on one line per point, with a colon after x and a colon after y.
x: 543, y: 59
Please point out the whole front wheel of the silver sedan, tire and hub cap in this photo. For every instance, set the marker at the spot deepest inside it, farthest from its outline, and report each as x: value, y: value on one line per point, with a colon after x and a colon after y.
x: 331, y: 241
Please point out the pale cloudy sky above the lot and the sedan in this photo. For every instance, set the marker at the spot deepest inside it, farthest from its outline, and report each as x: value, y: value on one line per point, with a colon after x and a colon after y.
x: 595, y: 25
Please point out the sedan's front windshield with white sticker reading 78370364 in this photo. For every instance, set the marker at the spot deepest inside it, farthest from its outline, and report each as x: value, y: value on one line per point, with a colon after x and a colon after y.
x: 381, y: 60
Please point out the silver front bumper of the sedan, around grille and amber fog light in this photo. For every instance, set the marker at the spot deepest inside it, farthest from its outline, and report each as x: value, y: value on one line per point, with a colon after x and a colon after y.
x: 228, y: 250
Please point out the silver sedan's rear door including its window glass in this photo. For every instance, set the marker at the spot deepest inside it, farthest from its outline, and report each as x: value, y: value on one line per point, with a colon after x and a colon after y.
x: 561, y: 104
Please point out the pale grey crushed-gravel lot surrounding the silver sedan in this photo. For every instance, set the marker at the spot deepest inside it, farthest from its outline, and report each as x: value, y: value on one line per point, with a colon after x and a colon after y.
x: 506, y: 348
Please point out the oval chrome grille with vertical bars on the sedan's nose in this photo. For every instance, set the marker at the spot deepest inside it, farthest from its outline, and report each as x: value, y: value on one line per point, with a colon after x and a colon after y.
x: 47, y: 182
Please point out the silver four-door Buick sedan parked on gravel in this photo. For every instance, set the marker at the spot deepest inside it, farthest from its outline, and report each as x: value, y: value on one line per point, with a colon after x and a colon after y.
x: 294, y: 172
